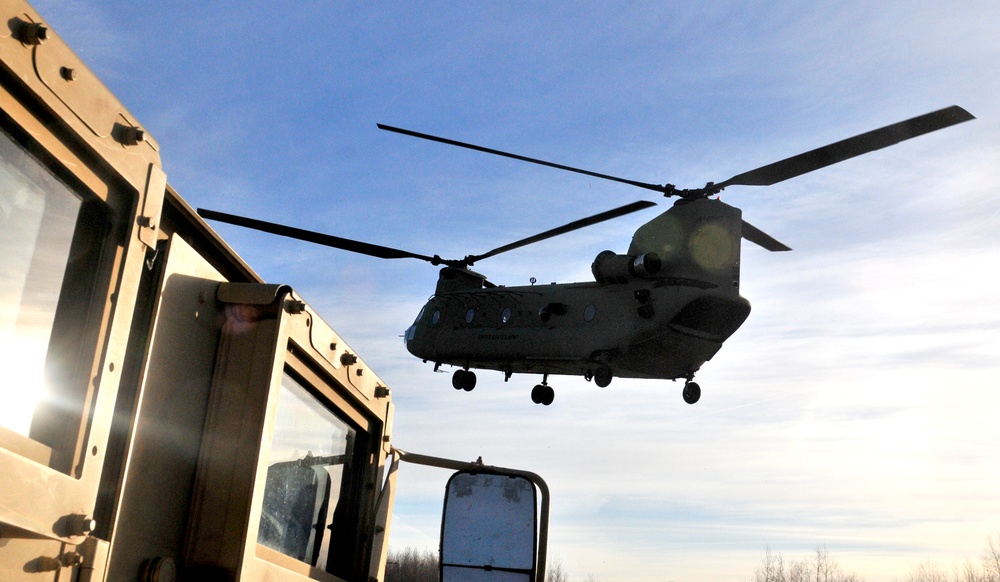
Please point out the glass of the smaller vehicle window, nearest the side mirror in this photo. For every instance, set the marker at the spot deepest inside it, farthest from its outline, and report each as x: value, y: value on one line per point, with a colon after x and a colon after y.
x: 313, y: 473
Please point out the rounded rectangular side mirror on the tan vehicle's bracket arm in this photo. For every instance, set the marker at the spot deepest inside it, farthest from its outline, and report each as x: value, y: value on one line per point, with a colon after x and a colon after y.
x: 489, y: 528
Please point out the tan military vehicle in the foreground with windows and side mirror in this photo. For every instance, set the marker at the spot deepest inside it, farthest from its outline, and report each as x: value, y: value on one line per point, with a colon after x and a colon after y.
x: 165, y: 413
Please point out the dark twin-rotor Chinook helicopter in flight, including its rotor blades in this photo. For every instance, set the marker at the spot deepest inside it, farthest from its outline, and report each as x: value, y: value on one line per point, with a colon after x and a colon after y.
x: 659, y: 311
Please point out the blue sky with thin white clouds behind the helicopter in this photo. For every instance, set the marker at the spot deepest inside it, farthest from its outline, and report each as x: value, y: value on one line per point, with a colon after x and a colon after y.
x: 855, y: 409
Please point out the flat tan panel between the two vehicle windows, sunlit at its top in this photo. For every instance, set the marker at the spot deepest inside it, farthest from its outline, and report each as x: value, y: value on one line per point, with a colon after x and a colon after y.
x: 168, y: 417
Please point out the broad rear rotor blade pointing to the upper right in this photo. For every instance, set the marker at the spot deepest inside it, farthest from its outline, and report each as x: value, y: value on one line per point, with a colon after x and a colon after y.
x: 849, y: 148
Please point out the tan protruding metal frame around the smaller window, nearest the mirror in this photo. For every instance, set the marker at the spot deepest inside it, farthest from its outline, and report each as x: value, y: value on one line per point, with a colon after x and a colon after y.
x: 260, y: 343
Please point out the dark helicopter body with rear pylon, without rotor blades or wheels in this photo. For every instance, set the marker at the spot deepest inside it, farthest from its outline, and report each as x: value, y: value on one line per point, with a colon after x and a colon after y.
x: 660, y: 311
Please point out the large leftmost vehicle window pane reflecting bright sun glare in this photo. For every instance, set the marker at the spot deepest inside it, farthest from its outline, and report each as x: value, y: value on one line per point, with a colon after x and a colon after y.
x: 50, y: 244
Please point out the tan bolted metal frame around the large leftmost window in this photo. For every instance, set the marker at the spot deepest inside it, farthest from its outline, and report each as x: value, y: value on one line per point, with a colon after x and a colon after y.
x: 96, y: 167
